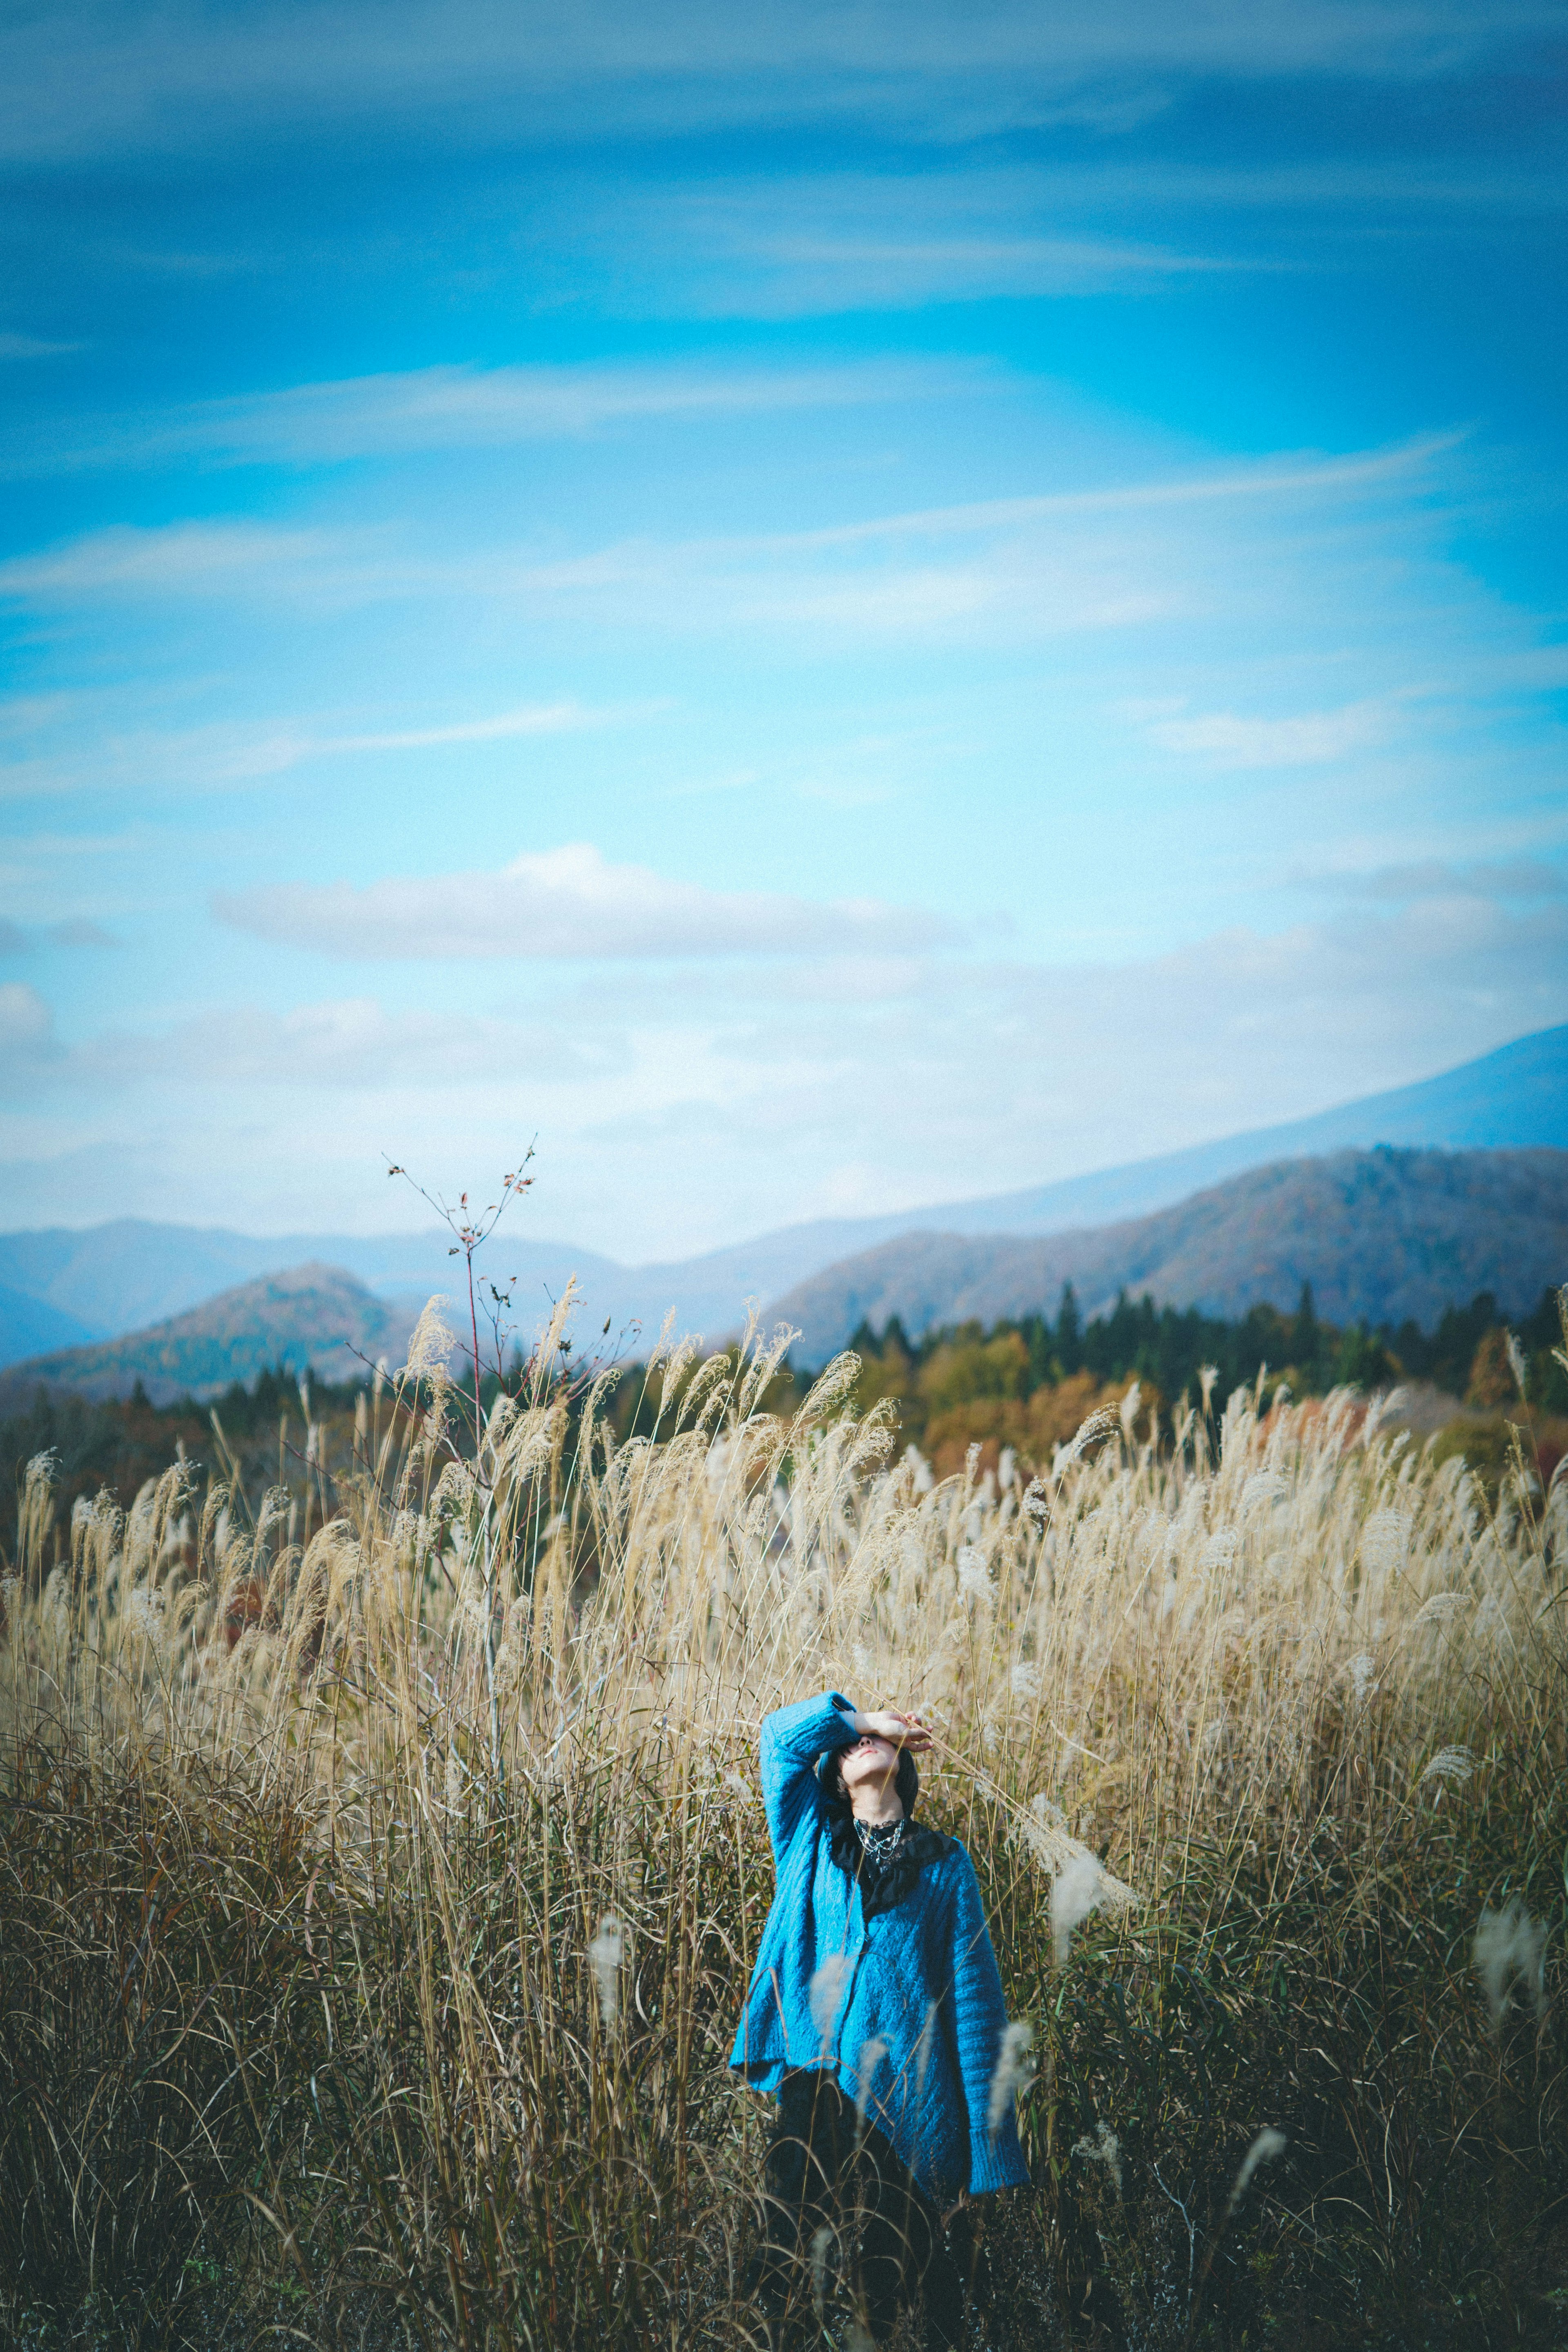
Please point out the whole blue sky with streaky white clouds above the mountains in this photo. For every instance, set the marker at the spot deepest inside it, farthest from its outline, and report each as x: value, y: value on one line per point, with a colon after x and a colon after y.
x: 822, y: 613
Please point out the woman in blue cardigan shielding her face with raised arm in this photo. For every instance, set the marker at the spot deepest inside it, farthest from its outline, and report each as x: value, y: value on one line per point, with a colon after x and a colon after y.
x: 876, y: 2014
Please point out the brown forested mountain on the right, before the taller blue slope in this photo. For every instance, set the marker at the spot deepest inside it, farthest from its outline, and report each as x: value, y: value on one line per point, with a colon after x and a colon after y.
x: 1381, y: 1236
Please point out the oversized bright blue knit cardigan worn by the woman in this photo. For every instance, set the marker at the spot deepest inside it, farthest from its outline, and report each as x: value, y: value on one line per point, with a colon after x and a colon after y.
x: 918, y: 1979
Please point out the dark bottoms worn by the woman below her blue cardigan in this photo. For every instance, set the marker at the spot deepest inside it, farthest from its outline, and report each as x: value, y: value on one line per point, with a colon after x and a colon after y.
x: 836, y: 2196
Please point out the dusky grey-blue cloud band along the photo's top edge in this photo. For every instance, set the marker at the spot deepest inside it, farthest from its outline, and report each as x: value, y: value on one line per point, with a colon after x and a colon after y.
x: 91, y: 81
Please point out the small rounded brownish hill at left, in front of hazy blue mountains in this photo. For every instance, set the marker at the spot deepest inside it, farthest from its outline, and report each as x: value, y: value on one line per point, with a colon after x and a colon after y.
x: 316, y: 1316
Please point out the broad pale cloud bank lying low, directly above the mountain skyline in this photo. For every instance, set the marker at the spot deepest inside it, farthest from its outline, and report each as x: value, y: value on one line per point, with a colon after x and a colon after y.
x: 897, y: 1083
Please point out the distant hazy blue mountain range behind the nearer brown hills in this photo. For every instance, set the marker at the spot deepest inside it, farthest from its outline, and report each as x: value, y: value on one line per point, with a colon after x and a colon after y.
x: 65, y: 1288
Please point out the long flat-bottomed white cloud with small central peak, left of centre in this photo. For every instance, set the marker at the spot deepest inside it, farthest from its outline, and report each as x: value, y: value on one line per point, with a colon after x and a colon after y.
x: 561, y: 904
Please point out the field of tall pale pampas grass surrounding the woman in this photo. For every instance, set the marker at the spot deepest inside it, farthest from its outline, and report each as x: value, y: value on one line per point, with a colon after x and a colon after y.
x: 375, y: 1911
